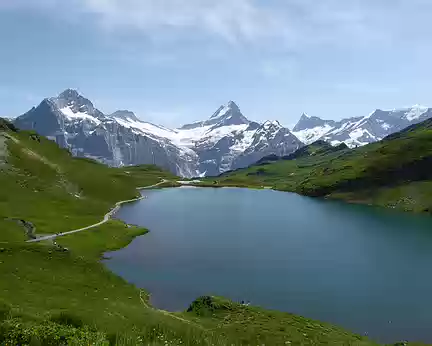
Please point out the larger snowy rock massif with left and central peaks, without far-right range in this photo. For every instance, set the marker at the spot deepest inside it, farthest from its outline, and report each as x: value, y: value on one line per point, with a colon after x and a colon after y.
x: 227, y: 140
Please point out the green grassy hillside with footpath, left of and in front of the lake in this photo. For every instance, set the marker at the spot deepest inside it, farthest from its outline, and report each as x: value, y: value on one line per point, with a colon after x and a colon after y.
x: 50, y: 295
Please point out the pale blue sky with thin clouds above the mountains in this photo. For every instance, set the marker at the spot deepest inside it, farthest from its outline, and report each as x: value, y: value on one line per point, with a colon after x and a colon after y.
x: 176, y: 61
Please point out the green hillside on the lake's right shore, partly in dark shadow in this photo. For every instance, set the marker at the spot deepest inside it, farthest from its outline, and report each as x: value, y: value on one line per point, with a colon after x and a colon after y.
x: 395, y: 172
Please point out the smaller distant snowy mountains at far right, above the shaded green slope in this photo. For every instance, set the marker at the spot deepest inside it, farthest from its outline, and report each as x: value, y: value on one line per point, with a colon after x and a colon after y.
x: 361, y: 130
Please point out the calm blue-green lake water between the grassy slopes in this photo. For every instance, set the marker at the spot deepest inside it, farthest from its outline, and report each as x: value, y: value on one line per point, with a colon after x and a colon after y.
x: 366, y: 269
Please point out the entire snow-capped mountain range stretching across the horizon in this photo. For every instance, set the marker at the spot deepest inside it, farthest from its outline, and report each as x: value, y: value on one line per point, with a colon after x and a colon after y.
x: 225, y: 141
